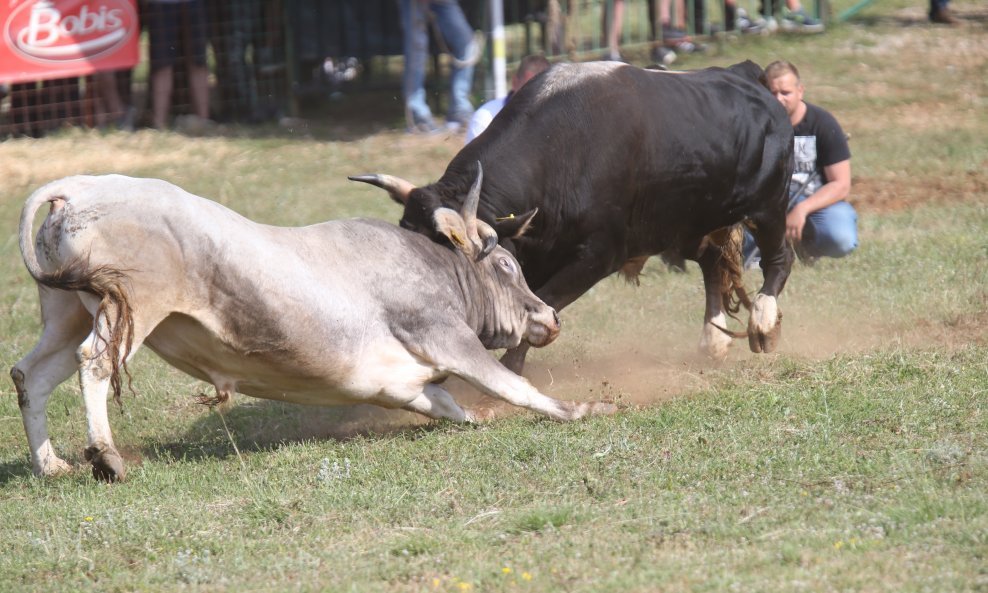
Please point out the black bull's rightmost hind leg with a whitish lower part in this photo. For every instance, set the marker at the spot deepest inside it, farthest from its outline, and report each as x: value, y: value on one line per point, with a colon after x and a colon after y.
x: 765, y: 323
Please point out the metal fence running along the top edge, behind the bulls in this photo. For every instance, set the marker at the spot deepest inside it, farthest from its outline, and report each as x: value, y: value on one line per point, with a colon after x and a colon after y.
x: 264, y: 55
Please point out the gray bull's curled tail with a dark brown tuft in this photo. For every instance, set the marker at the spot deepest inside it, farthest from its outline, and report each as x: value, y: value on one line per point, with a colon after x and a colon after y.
x: 79, y: 275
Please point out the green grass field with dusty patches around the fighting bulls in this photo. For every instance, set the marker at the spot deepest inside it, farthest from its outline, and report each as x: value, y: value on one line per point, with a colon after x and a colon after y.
x: 854, y: 459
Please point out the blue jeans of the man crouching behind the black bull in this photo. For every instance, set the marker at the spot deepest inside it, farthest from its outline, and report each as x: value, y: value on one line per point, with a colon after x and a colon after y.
x: 829, y: 232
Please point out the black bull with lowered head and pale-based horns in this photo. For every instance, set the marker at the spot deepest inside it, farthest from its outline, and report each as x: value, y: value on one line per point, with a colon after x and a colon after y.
x: 608, y: 164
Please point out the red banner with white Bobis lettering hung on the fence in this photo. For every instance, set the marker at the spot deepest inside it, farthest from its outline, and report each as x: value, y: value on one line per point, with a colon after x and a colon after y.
x: 45, y: 39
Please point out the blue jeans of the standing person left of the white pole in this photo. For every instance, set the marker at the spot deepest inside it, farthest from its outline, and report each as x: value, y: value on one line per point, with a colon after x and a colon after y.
x: 456, y: 31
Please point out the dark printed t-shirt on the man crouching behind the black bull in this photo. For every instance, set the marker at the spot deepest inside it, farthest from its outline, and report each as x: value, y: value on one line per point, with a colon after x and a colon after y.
x: 820, y: 142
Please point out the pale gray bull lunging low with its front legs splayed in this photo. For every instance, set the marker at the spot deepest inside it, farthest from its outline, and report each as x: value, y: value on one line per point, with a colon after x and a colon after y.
x: 342, y: 312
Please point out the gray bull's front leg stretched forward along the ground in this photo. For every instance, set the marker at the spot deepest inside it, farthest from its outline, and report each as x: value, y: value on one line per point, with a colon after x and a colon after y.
x: 474, y: 365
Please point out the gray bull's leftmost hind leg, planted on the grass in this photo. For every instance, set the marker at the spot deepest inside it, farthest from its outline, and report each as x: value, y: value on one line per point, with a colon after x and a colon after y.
x: 50, y: 363
